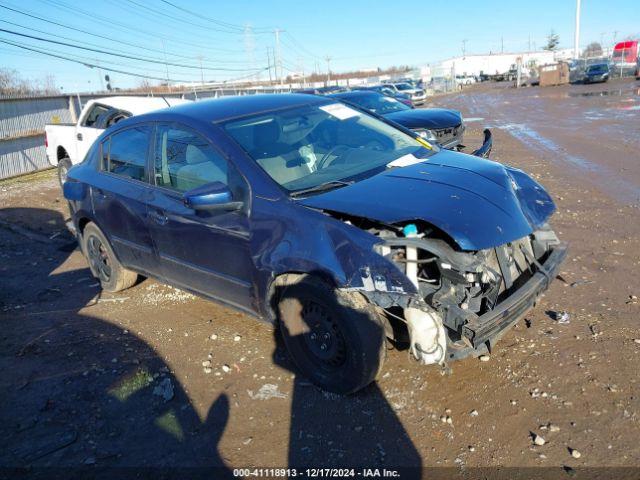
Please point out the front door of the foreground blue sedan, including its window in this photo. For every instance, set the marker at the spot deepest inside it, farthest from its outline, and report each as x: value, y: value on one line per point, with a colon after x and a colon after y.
x: 204, y: 251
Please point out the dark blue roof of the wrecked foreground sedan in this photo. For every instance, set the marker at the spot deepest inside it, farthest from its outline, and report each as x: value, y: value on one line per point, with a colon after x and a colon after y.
x: 225, y: 108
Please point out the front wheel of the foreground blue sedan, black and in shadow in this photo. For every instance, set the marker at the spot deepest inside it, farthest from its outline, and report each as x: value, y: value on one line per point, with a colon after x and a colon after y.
x: 335, y: 338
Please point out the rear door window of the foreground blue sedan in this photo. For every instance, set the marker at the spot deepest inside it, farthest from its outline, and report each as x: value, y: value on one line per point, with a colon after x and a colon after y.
x: 125, y: 153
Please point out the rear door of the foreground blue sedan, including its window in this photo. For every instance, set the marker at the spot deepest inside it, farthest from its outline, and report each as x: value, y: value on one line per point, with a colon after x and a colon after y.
x: 118, y: 196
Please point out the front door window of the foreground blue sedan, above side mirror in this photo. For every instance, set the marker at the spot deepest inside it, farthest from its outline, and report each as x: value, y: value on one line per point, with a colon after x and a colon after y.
x: 184, y: 160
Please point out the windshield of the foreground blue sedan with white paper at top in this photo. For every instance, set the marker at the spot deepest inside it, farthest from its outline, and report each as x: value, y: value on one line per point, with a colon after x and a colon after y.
x: 310, y: 145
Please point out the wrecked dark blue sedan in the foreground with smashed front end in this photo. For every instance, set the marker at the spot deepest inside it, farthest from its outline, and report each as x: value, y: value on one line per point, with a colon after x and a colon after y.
x: 335, y: 225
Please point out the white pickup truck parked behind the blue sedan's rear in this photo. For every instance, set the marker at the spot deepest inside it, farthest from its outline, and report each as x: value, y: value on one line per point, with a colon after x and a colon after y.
x: 68, y: 143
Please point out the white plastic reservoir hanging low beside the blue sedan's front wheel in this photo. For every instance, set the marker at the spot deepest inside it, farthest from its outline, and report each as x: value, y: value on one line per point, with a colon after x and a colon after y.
x: 427, y: 334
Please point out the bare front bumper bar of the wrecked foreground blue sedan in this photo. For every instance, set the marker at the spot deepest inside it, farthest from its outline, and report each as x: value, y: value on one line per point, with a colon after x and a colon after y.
x: 489, y: 327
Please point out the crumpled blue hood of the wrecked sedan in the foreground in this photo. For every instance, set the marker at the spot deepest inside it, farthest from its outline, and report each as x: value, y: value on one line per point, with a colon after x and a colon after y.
x: 479, y: 203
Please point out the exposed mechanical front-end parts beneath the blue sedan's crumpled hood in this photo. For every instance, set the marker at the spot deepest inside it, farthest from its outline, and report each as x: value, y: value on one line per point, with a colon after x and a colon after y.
x: 456, y: 287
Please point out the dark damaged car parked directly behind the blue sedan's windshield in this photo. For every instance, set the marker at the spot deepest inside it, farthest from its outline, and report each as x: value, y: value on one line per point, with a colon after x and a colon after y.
x: 439, y: 125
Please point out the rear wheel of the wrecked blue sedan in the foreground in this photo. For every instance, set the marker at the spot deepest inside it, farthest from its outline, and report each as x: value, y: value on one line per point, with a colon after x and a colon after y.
x: 103, y: 263
